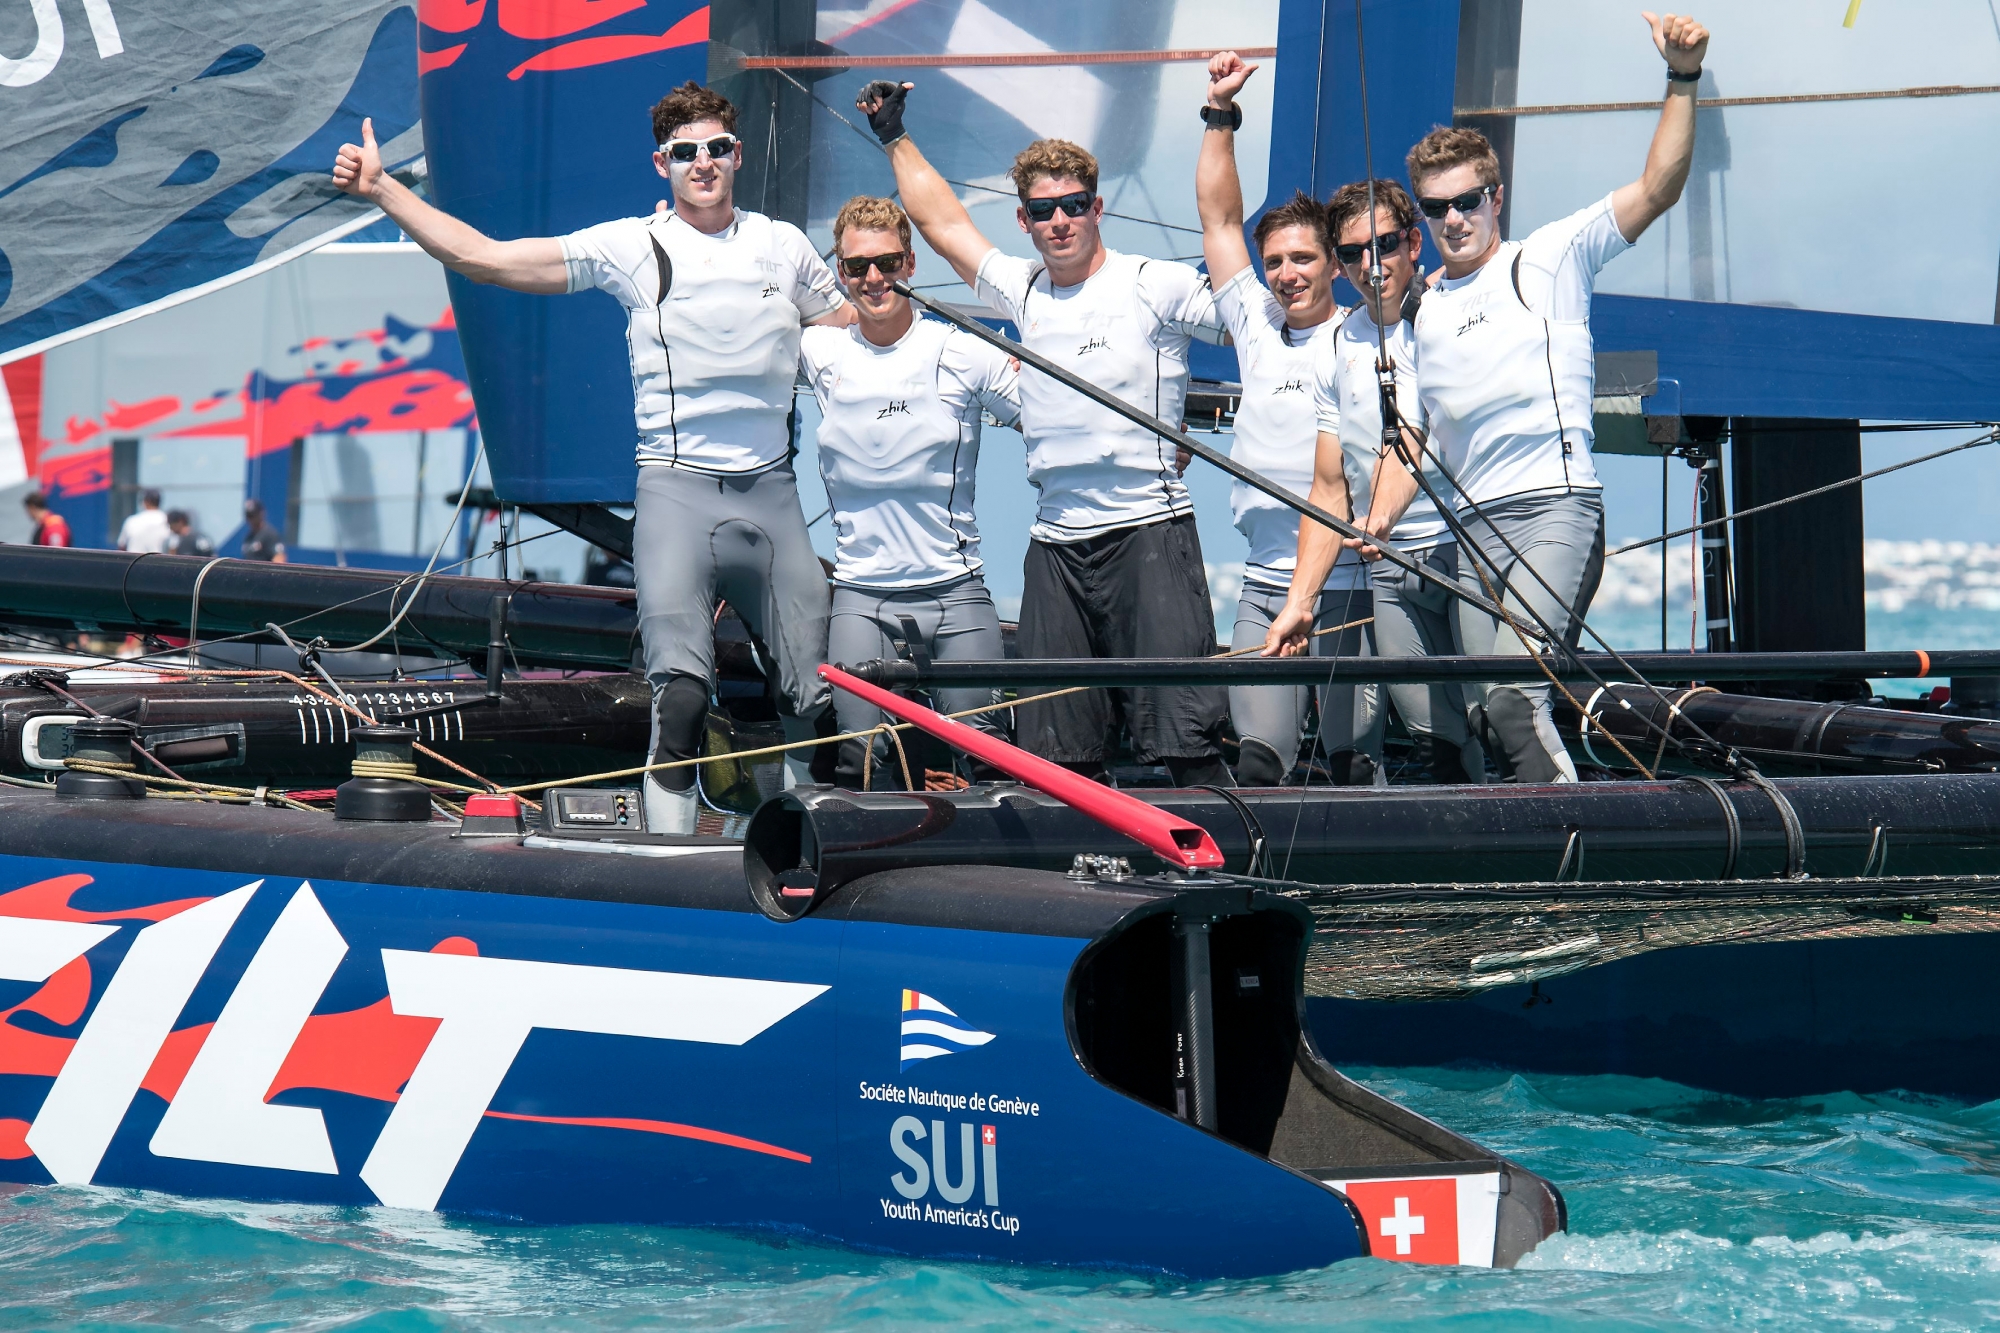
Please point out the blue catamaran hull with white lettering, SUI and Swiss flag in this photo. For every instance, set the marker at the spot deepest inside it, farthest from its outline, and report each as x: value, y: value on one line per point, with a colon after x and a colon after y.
x: 947, y: 1064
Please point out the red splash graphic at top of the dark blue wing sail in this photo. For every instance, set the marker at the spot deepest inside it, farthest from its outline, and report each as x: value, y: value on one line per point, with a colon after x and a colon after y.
x: 559, y: 35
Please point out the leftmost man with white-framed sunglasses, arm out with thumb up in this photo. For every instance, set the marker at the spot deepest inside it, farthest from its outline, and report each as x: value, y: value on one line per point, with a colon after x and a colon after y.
x: 715, y: 299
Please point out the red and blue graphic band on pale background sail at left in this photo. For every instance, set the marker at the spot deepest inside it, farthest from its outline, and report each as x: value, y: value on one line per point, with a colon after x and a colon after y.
x: 399, y: 377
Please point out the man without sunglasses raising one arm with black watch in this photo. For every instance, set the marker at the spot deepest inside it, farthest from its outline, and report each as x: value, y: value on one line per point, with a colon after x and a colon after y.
x: 1281, y: 327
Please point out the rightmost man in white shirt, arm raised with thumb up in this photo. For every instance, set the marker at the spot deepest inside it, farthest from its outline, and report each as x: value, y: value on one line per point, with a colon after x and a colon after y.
x: 1507, y: 377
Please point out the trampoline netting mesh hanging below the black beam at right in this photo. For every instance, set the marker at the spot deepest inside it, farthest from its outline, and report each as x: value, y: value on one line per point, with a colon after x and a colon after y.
x: 1451, y: 942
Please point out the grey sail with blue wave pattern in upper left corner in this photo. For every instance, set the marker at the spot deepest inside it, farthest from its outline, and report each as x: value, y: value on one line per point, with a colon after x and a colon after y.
x: 159, y: 151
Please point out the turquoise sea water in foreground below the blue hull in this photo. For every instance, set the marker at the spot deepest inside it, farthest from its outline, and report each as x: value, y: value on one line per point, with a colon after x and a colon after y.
x: 1685, y: 1210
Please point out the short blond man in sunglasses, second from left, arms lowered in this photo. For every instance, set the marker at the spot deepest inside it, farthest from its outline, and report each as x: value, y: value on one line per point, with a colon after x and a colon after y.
x: 901, y: 405
